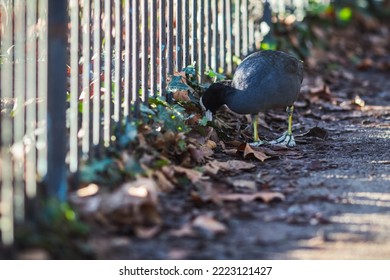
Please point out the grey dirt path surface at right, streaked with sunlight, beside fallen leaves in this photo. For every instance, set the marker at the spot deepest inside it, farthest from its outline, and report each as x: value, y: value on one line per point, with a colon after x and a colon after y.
x: 337, y: 202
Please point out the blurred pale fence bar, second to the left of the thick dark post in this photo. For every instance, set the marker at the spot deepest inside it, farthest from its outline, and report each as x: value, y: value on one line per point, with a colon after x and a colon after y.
x: 31, y: 97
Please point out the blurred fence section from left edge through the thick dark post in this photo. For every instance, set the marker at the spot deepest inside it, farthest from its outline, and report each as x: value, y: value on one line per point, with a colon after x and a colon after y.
x: 32, y: 122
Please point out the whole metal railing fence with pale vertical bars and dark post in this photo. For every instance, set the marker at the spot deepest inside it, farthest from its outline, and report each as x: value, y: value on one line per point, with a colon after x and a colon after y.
x: 107, y: 57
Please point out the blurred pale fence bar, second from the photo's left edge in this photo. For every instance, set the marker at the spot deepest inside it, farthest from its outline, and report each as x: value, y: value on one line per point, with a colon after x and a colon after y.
x: 19, y: 127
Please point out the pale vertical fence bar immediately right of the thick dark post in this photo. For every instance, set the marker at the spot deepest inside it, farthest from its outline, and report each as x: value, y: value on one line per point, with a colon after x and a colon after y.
x: 74, y: 85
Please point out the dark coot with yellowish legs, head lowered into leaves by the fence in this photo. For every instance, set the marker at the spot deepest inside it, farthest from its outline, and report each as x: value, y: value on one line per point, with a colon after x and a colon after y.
x: 263, y: 80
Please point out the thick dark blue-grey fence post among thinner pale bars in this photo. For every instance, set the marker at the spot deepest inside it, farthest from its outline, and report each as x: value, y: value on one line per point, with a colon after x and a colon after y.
x: 55, y: 180
